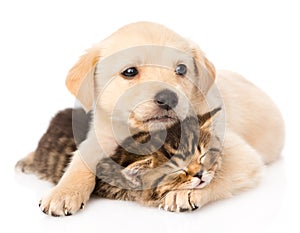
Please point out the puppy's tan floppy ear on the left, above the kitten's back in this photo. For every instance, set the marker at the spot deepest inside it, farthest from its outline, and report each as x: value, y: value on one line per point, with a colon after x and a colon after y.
x: 80, y: 79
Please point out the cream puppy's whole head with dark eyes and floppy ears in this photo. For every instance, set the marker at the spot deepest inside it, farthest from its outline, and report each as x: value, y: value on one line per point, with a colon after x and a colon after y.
x: 144, y: 74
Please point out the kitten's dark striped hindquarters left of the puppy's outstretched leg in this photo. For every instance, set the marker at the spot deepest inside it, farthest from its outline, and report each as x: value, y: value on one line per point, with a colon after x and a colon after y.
x: 55, y: 148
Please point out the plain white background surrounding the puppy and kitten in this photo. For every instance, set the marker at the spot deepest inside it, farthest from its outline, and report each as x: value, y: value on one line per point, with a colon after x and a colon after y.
x: 41, y: 40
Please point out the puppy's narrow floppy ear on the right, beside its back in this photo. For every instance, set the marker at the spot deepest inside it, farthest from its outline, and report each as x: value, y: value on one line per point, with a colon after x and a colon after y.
x: 205, y: 69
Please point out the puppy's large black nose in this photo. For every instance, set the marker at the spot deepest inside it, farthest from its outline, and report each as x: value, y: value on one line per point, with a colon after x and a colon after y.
x: 166, y: 99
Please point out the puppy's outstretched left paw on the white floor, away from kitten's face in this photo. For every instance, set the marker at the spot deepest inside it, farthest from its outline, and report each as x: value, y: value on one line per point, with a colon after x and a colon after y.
x: 63, y: 202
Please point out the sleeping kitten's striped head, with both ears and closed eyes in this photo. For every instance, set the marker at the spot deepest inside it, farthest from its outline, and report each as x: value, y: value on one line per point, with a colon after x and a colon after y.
x: 192, y: 166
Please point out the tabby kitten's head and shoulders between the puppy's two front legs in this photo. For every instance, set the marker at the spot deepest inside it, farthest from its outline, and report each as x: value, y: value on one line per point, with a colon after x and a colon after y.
x: 188, y: 159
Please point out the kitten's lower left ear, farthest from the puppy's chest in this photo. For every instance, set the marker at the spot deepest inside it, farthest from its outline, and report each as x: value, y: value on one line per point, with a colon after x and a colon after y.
x: 133, y: 171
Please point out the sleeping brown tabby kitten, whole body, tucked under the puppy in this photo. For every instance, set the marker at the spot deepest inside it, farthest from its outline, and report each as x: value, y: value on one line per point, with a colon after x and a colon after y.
x: 187, y: 159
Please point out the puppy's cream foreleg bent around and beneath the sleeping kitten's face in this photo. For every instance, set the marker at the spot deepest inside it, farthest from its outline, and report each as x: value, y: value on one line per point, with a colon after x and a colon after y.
x: 240, y: 170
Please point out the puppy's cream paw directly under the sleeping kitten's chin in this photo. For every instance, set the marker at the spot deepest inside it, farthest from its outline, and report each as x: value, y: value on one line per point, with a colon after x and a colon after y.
x: 179, y: 201
